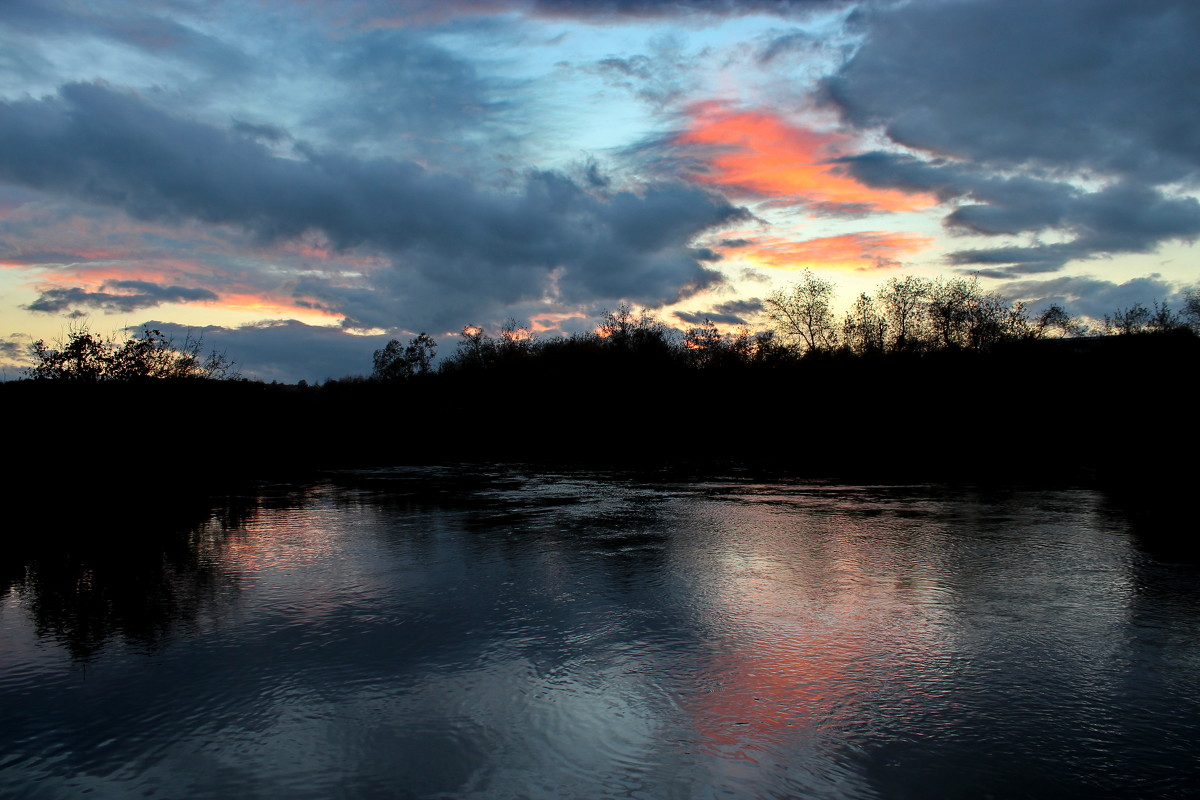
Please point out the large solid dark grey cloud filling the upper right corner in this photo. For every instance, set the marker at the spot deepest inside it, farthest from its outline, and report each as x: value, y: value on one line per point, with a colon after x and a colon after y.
x: 1105, y: 86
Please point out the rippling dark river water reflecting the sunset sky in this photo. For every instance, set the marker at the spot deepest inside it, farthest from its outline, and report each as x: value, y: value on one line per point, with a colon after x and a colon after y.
x: 508, y: 635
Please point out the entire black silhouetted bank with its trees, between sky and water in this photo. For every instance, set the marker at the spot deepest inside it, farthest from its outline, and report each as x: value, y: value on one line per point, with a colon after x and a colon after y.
x: 919, y: 380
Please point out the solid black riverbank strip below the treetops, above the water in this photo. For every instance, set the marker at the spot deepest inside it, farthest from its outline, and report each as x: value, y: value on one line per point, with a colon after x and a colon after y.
x: 1113, y: 413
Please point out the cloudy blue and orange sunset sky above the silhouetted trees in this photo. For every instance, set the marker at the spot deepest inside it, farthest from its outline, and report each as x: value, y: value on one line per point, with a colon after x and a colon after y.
x: 299, y: 182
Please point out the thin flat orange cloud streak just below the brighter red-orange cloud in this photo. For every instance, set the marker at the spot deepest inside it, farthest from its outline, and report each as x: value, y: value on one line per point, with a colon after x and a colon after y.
x: 863, y: 251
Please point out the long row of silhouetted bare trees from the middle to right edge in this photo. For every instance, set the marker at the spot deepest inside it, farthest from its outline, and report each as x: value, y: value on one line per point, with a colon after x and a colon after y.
x: 908, y: 315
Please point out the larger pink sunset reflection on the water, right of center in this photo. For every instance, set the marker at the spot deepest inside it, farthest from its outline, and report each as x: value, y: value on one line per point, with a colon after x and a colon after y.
x: 805, y: 610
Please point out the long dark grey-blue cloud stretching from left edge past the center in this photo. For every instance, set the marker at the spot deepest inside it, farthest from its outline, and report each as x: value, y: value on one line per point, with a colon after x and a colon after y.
x: 458, y: 250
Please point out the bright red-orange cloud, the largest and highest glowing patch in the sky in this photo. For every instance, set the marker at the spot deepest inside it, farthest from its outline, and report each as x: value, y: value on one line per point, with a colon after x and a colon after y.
x: 761, y: 155
